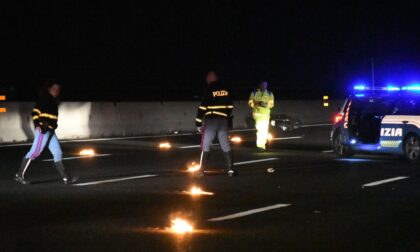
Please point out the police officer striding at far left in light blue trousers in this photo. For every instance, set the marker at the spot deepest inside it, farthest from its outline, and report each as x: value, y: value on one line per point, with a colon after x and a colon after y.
x: 45, y: 117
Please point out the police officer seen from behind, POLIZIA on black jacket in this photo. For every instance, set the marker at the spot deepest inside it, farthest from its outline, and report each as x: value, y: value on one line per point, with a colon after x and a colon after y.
x: 212, y: 121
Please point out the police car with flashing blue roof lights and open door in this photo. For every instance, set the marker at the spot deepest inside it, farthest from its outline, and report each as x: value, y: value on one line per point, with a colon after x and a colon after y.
x: 380, y: 120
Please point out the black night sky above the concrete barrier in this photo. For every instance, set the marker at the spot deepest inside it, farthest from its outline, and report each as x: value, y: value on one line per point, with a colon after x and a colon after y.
x: 161, y: 50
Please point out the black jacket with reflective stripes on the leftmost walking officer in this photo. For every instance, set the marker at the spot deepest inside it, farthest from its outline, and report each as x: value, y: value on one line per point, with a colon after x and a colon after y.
x: 45, y: 113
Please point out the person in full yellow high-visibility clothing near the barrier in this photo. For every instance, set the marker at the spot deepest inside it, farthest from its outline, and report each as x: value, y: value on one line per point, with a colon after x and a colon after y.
x: 261, y: 101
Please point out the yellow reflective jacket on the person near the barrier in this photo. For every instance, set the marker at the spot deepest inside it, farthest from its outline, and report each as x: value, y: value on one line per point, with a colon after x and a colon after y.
x: 256, y: 98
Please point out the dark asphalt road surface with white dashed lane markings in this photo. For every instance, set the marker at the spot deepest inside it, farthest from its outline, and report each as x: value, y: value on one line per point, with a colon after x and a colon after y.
x: 130, y: 191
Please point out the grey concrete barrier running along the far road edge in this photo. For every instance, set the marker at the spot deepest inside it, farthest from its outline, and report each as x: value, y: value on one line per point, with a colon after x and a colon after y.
x: 106, y: 119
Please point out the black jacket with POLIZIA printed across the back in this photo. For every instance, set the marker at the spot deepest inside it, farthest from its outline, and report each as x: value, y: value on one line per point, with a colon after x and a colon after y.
x: 216, y: 102
